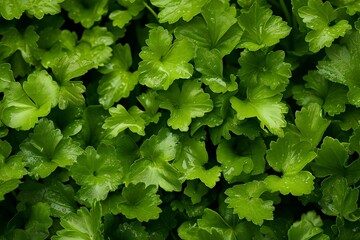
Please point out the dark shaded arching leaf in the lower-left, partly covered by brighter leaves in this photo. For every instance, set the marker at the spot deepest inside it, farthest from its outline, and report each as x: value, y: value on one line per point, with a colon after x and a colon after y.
x: 58, y: 196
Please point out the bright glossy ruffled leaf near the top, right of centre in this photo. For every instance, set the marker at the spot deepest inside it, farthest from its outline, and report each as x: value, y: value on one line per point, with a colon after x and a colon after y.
x: 261, y: 28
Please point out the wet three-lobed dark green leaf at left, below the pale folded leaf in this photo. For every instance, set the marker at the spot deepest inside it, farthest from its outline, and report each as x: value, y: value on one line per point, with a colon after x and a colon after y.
x: 46, y: 149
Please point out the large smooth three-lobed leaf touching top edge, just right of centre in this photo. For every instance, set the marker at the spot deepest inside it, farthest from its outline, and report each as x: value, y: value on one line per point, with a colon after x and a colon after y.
x: 216, y: 29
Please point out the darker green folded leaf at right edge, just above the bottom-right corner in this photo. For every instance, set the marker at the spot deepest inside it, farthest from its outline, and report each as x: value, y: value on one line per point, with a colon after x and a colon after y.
x: 338, y: 199
